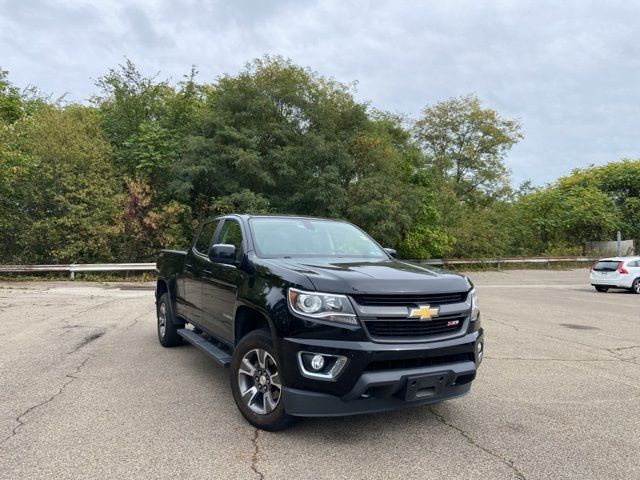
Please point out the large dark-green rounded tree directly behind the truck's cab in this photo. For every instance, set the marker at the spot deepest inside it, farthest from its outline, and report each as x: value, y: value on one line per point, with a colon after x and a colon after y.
x: 297, y: 142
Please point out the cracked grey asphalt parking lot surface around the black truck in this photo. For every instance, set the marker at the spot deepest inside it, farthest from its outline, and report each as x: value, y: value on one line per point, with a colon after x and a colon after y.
x: 86, y: 391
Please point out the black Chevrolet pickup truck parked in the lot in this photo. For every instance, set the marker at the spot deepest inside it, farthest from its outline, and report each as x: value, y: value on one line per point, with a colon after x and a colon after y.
x: 314, y: 318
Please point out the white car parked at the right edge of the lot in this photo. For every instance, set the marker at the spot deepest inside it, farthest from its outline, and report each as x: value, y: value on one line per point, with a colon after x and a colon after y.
x: 616, y: 272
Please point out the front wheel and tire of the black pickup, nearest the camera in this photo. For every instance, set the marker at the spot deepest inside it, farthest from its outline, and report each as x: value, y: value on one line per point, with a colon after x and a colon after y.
x: 256, y: 384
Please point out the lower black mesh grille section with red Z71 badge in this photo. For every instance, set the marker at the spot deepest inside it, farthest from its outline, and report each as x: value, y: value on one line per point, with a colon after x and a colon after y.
x: 414, y: 328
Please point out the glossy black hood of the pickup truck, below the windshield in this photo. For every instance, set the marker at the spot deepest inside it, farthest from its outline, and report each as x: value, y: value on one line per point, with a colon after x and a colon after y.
x: 374, y: 277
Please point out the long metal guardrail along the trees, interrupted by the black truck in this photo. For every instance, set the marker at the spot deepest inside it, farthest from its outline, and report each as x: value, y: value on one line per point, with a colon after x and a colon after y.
x: 74, y: 268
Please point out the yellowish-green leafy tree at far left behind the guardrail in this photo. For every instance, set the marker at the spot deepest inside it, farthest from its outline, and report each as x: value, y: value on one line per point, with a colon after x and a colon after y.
x: 57, y: 189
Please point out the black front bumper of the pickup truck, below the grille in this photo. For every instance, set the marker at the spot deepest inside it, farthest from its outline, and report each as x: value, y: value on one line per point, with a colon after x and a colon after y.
x: 378, y: 377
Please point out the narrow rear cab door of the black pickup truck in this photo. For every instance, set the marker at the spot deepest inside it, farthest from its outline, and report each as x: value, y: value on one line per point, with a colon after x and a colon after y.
x: 193, y: 271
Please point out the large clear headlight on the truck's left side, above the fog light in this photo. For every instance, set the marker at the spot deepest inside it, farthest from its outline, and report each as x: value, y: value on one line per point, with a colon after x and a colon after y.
x: 325, y: 306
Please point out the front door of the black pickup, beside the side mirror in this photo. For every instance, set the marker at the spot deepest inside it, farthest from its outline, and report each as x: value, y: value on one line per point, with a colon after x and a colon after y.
x: 220, y: 283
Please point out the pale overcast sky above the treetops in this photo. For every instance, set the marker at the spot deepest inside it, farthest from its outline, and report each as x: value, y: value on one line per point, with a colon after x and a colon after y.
x: 569, y: 70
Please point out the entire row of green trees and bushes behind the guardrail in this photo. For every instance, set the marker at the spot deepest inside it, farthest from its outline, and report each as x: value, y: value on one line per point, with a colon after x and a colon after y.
x: 141, y: 167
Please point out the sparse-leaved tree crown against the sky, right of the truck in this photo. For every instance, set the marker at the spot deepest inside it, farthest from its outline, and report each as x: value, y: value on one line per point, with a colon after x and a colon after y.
x: 465, y: 146
